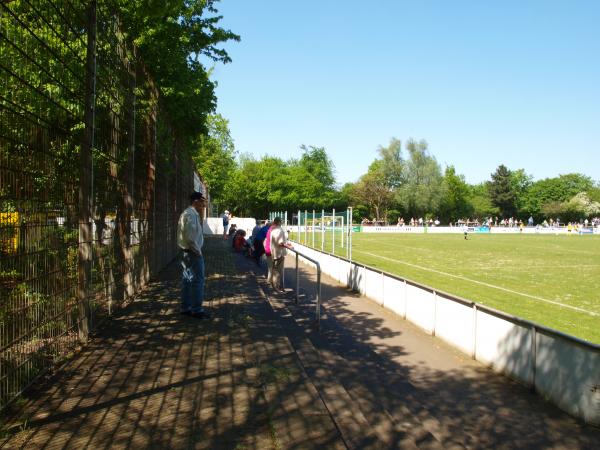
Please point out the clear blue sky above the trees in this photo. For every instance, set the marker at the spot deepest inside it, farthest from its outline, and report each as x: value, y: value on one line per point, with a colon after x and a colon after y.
x: 483, y: 82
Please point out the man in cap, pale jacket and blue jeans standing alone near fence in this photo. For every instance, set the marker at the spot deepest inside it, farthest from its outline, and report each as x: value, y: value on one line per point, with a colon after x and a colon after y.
x: 190, y: 240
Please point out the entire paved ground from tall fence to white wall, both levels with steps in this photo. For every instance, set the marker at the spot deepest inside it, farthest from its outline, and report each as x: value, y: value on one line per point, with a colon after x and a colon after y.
x: 260, y: 376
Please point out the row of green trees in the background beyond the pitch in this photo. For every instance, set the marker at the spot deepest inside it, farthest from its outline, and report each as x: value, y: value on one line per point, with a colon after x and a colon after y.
x: 402, y: 182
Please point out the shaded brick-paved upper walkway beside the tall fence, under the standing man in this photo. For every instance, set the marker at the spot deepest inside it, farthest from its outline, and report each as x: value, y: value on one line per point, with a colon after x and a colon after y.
x: 152, y: 378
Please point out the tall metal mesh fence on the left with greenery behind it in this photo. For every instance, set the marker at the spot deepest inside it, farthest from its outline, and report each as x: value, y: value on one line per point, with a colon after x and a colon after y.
x: 91, y: 180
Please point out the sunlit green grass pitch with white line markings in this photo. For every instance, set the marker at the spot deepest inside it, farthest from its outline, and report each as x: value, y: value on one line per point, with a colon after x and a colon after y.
x: 551, y: 280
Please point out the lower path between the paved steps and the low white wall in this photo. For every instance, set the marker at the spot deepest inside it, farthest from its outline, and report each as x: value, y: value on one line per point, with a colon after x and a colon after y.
x: 406, y: 382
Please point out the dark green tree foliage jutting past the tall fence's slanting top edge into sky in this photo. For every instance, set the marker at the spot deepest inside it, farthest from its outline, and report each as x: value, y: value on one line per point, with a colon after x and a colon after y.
x: 172, y: 37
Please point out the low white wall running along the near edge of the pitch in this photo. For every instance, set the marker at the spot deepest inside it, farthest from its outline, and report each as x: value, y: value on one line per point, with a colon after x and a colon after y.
x: 563, y: 369
